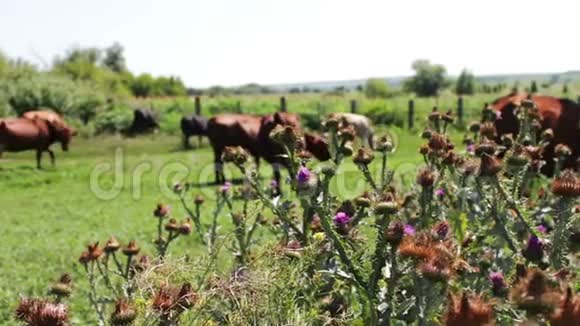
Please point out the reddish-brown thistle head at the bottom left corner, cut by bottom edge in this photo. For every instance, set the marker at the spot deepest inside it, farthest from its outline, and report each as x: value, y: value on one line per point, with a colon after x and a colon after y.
x: 37, y: 312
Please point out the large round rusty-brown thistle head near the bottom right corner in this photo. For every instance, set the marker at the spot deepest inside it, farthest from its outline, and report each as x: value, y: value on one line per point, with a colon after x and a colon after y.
x: 534, y: 294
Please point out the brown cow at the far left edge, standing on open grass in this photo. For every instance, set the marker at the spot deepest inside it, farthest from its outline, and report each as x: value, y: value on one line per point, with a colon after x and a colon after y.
x: 19, y: 134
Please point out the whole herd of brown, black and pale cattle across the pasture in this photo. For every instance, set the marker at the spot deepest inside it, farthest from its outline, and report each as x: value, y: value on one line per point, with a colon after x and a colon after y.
x: 38, y: 130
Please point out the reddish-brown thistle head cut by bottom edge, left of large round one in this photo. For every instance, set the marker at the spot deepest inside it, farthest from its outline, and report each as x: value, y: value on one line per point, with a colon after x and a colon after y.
x: 467, y: 311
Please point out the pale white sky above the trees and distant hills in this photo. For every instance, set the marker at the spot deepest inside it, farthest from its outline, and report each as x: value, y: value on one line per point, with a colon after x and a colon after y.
x: 233, y: 42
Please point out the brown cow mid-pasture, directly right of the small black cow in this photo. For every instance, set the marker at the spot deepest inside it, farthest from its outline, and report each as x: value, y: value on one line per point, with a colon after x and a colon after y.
x: 233, y: 130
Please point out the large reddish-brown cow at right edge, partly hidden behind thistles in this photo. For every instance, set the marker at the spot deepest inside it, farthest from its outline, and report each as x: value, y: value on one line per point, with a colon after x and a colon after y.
x: 561, y: 115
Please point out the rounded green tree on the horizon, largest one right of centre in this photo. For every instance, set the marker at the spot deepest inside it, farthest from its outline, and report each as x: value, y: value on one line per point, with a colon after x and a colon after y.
x: 428, y: 80
